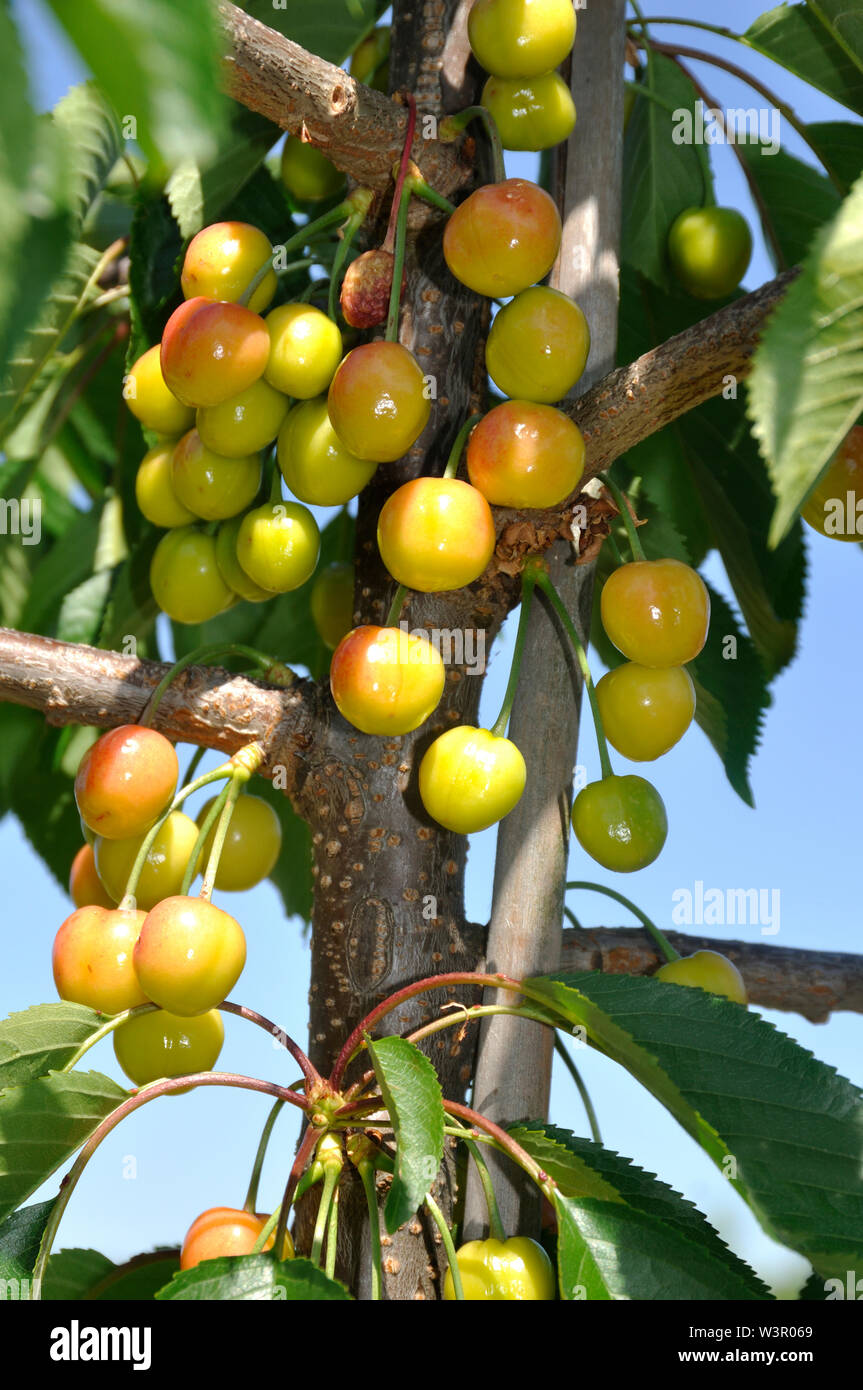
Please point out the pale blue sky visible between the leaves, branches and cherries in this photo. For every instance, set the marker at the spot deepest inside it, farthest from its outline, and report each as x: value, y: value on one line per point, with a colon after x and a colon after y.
x: 177, y: 1157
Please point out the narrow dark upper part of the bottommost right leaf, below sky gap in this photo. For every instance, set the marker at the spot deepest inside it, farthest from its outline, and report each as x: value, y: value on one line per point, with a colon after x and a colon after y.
x: 583, y: 1170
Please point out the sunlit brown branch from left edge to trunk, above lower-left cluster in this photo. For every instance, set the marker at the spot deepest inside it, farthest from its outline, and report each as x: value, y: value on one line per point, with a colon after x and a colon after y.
x: 206, y: 705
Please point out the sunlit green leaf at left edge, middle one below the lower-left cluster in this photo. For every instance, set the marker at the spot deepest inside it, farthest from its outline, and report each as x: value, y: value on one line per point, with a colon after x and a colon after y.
x: 44, y: 1122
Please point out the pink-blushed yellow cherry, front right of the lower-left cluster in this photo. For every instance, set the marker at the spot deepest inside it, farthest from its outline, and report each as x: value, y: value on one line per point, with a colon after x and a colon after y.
x: 190, y: 956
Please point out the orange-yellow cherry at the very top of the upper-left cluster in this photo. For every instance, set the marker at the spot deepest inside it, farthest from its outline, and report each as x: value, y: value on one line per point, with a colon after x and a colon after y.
x: 222, y: 262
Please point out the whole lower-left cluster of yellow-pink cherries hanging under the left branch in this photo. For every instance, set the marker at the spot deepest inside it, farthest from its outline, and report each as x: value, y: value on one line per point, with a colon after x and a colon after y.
x: 156, y: 945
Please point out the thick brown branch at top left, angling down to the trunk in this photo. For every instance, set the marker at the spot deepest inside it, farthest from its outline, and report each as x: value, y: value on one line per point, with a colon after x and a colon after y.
x: 361, y: 130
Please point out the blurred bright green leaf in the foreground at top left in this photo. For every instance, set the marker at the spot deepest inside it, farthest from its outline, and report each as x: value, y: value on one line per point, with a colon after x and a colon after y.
x: 158, y: 63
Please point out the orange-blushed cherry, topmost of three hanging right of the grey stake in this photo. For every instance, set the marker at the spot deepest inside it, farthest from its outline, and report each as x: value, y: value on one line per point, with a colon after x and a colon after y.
x: 657, y: 612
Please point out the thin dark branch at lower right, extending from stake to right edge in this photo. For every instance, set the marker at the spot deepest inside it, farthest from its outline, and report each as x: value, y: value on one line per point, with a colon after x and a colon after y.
x: 814, y: 983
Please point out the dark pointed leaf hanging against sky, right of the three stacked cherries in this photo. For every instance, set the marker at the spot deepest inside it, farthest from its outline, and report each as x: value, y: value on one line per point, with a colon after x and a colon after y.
x: 732, y: 694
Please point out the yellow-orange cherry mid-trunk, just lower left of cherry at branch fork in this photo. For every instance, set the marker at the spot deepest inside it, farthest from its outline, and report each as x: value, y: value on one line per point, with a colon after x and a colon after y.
x: 436, y: 534
